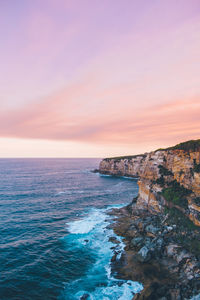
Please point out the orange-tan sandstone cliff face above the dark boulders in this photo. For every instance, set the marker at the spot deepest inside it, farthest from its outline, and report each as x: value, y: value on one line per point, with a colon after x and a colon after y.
x: 167, y: 178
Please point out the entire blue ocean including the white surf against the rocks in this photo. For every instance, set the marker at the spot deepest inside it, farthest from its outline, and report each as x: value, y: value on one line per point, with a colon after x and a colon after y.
x: 54, y: 243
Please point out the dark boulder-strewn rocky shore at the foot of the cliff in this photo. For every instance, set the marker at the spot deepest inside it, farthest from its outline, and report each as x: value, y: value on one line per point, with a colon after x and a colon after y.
x: 151, y: 256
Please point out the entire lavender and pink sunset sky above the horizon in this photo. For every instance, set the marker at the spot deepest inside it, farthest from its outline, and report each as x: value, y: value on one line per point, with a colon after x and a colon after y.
x: 98, y: 78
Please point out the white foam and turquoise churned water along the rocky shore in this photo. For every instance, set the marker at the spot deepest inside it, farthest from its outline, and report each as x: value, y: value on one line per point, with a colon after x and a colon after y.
x: 90, y: 237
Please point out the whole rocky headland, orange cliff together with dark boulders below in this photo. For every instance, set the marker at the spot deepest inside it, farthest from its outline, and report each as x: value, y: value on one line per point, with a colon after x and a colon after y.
x: 161, y: 226
